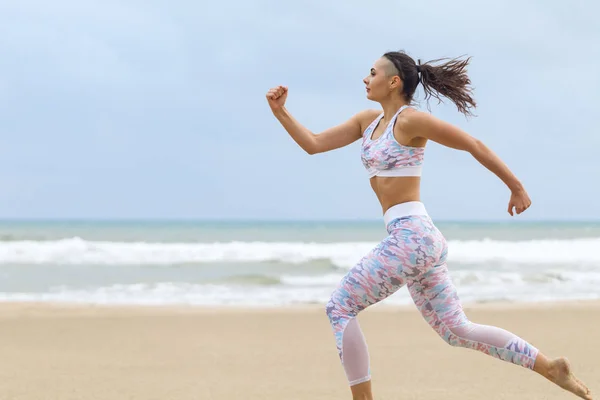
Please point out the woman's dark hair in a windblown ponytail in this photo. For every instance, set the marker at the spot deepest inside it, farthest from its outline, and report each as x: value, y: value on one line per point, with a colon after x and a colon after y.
x: 449, y: 79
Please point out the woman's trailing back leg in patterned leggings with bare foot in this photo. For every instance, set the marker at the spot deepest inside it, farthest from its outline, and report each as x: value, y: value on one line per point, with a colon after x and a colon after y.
x: 436, y: 297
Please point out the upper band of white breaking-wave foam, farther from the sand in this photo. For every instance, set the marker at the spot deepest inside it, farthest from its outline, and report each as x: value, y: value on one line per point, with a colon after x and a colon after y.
x: 580, y: 251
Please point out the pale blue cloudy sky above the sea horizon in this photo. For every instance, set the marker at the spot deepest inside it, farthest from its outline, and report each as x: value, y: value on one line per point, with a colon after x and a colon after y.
x: 147, y: 109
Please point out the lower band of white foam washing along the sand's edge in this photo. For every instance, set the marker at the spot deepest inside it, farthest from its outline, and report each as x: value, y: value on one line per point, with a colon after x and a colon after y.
x: 173, y: 293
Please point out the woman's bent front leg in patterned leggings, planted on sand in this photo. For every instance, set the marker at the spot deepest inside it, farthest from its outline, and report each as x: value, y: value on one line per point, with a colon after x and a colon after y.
x: 412, y: 248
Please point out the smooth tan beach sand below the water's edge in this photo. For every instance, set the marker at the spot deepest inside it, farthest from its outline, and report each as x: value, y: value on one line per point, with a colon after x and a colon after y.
x: 52, y: 352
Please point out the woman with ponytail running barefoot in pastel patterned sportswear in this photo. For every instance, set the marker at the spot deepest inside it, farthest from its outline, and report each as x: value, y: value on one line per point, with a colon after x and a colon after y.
x: 414, y: 253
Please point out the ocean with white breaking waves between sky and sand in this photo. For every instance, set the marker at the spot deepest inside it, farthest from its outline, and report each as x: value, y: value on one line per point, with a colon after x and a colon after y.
x: 272, y: 264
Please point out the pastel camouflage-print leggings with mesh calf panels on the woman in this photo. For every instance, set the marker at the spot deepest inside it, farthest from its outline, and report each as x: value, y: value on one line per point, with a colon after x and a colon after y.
x: 414, y: 254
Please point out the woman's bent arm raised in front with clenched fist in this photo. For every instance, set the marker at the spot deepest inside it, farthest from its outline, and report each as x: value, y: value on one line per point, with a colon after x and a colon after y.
x: 330, y: 139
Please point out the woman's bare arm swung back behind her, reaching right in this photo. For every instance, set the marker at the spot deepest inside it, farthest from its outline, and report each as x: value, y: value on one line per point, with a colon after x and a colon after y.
x: 420, y: 124
